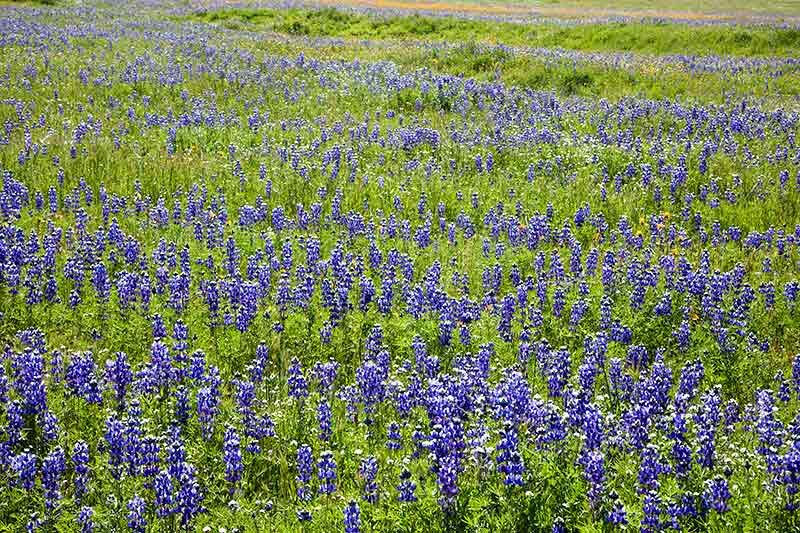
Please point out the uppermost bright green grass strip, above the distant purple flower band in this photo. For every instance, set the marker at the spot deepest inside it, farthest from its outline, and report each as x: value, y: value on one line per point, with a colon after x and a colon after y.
x: 639, y: 37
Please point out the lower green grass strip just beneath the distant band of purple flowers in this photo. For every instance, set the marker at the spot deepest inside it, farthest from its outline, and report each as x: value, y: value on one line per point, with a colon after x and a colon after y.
x: 530, y: 71
